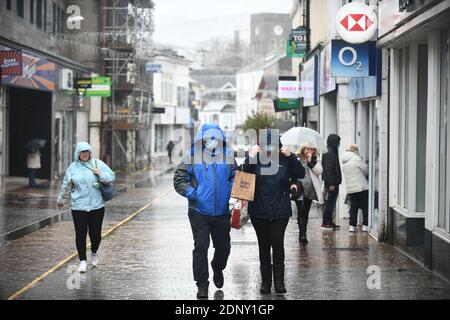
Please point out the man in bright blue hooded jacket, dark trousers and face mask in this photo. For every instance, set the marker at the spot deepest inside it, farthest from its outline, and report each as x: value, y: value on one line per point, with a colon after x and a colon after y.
x: 206, y: 179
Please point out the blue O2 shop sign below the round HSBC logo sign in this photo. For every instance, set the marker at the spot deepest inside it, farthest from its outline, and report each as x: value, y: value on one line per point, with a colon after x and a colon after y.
x: 352, y: 60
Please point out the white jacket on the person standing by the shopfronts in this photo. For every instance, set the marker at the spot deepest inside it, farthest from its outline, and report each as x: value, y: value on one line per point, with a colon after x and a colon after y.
x: 355, y: 172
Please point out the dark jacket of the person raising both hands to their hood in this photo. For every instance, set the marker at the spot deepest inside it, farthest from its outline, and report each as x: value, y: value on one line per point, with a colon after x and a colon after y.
x: 272, y: 192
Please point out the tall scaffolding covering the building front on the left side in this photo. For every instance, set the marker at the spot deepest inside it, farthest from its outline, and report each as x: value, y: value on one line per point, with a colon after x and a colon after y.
x: 127, y: 29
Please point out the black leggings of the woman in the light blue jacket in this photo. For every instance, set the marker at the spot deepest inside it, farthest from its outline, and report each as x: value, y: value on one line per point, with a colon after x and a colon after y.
x: 85, y: 221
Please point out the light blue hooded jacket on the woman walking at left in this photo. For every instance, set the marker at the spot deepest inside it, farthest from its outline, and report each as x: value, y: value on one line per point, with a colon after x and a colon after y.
x: 84, y: 195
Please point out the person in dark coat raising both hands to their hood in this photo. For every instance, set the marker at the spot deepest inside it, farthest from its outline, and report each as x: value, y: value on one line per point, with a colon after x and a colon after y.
x: 271, y: 209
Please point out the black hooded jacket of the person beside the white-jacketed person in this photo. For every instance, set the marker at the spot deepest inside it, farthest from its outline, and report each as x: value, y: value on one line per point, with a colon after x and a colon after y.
x: 330, y: 162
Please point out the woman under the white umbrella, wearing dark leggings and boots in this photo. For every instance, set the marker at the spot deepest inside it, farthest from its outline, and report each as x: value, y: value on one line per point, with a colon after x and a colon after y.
x: 309, y: 188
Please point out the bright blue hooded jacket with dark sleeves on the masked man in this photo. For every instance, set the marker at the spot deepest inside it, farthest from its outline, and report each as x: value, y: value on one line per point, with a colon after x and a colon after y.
x: 208, y: 183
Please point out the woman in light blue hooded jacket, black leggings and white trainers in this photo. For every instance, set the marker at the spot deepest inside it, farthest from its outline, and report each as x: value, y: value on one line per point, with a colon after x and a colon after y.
x: 88, y: 207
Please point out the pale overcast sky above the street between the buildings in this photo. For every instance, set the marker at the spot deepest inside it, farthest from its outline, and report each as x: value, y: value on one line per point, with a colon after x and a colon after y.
x: 186, y: 22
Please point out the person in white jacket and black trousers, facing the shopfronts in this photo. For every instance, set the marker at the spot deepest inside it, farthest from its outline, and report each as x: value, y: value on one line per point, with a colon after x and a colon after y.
x: 355, y: 173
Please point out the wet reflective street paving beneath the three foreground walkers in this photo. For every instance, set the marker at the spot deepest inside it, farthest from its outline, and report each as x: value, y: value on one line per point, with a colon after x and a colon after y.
x: 150, y: 257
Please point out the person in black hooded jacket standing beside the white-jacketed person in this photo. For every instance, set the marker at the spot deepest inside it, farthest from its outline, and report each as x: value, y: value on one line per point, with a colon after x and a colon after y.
x: 332, y: 177
